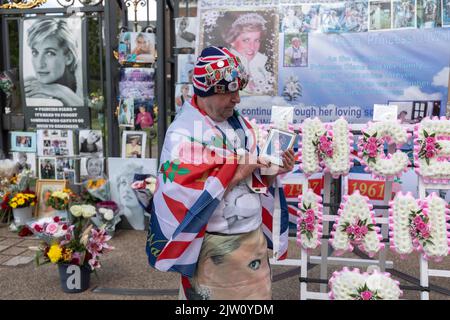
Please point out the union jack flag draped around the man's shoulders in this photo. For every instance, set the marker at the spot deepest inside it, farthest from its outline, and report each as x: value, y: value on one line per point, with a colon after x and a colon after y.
x: 196, y: 168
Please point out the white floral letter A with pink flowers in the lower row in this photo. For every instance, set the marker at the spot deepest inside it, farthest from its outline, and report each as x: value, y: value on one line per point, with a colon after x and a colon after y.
x: 355, y: 225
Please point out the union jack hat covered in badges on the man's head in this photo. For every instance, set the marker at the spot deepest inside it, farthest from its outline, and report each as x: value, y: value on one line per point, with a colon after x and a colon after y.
x: 218, y: 71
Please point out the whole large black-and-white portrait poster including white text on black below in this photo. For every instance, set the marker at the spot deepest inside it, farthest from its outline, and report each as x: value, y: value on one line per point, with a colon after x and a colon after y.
x: 53, y: 73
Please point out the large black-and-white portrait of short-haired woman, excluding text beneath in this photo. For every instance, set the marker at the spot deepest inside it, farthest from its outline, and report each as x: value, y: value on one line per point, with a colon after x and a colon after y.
x: 51, y: 62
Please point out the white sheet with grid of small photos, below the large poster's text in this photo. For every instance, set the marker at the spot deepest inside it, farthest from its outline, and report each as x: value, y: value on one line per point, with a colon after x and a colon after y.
x: 55, y: 143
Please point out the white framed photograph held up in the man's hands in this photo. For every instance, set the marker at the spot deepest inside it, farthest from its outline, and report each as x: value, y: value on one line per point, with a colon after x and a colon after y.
x: 277, y: 142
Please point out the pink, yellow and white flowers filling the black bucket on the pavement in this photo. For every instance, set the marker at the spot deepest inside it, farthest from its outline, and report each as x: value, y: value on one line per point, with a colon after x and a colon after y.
x: 77, y: 243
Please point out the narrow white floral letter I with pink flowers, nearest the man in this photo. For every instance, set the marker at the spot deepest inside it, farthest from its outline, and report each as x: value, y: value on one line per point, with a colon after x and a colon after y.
x: 309, y: 221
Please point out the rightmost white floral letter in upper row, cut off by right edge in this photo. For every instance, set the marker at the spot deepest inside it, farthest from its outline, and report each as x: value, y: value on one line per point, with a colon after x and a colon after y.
x: 432, y: 150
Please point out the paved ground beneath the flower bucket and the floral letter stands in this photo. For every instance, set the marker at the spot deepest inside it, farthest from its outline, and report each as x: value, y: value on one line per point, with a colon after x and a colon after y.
x: 126, y: 275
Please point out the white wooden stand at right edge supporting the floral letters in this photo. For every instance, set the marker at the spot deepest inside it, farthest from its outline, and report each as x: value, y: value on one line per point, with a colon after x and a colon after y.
x: 426, y: 272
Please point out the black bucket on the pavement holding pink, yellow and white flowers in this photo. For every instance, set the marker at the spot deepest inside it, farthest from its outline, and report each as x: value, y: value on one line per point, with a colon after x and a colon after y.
x: 74, y: 278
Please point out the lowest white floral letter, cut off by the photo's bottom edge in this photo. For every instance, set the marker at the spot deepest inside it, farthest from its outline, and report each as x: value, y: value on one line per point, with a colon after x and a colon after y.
x: 352, y: 285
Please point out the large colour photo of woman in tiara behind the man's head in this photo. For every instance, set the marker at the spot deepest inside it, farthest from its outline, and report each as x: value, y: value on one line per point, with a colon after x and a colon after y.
x: 253, y: 37
